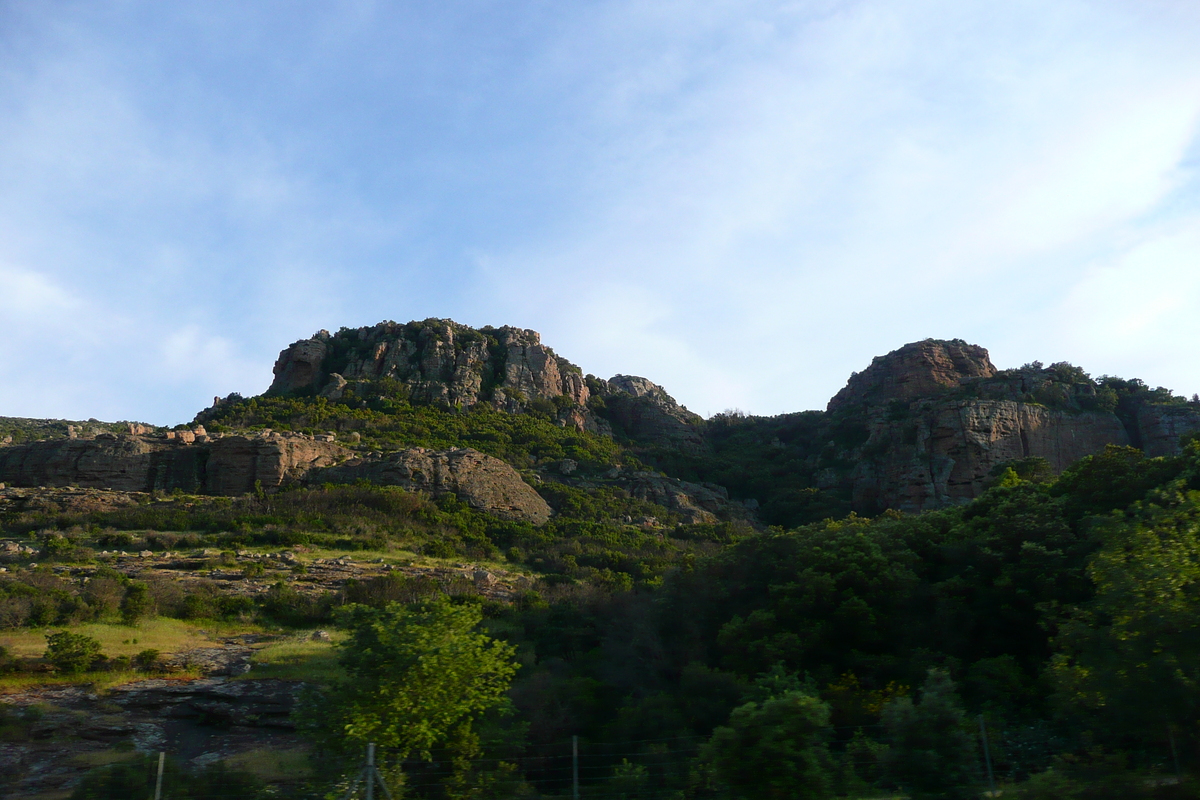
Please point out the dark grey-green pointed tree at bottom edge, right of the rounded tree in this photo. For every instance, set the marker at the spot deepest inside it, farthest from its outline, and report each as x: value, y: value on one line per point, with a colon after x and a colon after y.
x: 933, y: 754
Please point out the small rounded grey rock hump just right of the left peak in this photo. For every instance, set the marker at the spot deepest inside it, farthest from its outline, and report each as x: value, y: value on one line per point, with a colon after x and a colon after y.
x: 650, y: 416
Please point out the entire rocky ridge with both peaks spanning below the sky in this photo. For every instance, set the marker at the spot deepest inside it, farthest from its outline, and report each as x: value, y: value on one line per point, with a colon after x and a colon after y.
x: 926, y: 426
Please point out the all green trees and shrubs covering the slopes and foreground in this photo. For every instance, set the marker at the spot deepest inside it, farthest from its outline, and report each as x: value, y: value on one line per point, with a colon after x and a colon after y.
x: 826, y: 655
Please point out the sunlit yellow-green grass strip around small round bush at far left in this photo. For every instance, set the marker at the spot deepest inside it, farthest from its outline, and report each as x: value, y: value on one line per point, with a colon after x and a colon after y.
x: 163, y: 634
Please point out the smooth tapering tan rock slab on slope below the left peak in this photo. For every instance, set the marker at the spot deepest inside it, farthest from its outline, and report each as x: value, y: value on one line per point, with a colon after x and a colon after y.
x: 481, y: 482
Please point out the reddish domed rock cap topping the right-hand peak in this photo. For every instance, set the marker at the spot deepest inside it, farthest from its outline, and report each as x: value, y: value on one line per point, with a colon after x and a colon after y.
x: 915, y: 371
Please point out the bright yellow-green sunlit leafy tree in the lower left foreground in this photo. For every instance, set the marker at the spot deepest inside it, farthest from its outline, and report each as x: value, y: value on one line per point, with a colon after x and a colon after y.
x: 416, y: 679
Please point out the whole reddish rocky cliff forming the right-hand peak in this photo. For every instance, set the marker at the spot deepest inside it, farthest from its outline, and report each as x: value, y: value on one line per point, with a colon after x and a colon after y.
x: 928, y: 425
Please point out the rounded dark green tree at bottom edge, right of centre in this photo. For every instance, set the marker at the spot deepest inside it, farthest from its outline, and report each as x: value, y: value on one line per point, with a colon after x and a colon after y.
x: 776, y: 750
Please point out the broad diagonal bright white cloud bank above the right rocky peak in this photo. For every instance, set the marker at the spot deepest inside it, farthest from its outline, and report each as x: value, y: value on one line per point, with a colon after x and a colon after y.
x: 847, y: 185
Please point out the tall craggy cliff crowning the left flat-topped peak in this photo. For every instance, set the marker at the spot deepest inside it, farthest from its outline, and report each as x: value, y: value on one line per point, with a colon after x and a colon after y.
x: 440, y: 362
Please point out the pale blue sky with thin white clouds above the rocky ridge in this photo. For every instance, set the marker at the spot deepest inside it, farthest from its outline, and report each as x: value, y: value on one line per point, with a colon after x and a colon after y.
x: 741, y: 201
